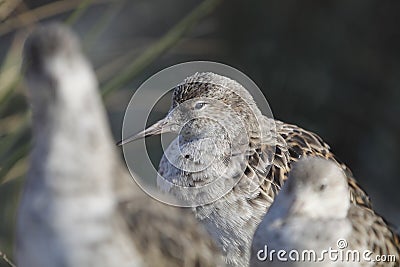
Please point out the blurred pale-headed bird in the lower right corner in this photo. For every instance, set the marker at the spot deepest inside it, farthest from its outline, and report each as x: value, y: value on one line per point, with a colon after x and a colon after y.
x: 313, y: 212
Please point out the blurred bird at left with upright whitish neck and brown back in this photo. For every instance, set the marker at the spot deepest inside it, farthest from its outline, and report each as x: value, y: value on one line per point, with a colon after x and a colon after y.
x: 79, y: 206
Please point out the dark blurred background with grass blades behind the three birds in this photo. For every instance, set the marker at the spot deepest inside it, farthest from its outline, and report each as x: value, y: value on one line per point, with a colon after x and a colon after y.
x: 332, y: 67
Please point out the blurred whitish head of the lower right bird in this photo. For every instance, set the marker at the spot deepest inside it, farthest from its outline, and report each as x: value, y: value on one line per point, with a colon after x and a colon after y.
x: 317, y: 188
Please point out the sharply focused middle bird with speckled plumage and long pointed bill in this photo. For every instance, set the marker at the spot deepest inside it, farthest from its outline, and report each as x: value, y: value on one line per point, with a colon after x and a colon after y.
x: 226, y: 146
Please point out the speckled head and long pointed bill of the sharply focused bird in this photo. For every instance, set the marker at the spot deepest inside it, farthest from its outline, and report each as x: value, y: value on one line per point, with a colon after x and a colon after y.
x: 206, y: 105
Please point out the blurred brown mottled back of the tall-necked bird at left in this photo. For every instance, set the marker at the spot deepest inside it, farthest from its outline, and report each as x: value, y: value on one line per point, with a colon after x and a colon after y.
x: 169, y: 236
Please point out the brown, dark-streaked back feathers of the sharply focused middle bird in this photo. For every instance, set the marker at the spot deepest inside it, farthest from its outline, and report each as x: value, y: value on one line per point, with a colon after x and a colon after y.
x: 292, y: 143
